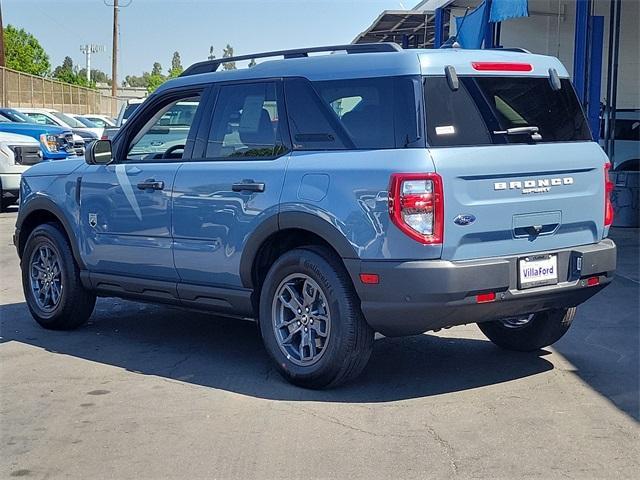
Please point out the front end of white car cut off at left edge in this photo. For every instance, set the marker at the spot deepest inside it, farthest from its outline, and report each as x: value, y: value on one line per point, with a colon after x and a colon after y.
x: 17, y: 154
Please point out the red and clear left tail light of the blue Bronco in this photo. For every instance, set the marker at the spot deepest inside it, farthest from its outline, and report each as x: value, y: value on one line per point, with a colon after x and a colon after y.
x: 416, y: 205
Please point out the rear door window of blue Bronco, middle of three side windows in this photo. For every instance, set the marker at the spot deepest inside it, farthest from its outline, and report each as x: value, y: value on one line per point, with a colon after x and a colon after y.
x: 245, y: 122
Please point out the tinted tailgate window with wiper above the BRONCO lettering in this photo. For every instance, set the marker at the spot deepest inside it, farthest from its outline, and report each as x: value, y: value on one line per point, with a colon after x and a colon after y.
x: 482, y: 107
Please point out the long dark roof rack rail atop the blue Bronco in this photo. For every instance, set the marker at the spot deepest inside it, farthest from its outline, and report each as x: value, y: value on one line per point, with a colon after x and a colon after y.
x: 212, y: 65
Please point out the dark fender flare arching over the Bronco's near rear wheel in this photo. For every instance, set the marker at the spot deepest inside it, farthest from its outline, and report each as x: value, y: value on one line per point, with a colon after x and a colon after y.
x: 286, y: 220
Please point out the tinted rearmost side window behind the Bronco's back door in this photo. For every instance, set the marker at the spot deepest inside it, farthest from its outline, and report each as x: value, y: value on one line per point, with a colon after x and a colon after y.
x: 367, y: 113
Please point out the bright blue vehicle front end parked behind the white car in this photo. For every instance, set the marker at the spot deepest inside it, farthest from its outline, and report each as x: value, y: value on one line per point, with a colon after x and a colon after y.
x: 57, y: 143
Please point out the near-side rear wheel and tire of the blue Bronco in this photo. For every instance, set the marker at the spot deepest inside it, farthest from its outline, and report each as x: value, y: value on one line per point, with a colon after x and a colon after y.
x: 310, y: 320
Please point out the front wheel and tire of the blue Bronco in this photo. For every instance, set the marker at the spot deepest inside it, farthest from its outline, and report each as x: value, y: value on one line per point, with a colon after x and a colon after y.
x: 51, y: 281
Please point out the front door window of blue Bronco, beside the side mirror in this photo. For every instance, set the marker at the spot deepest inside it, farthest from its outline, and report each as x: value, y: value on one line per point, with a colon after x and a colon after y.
x: 164, y: 135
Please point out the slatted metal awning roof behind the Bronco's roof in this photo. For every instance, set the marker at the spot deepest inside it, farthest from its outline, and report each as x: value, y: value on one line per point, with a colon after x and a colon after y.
x: 415, y: 29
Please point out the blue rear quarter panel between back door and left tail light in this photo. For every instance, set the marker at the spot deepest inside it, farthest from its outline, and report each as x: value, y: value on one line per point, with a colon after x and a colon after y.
x: 348, y: 189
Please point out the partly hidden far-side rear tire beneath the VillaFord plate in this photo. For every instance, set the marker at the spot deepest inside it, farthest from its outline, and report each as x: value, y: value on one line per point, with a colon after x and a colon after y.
x: 541, y: 330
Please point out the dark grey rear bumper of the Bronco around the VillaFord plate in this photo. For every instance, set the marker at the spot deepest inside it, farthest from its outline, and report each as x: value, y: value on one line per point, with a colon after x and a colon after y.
x: 415, y: 296
